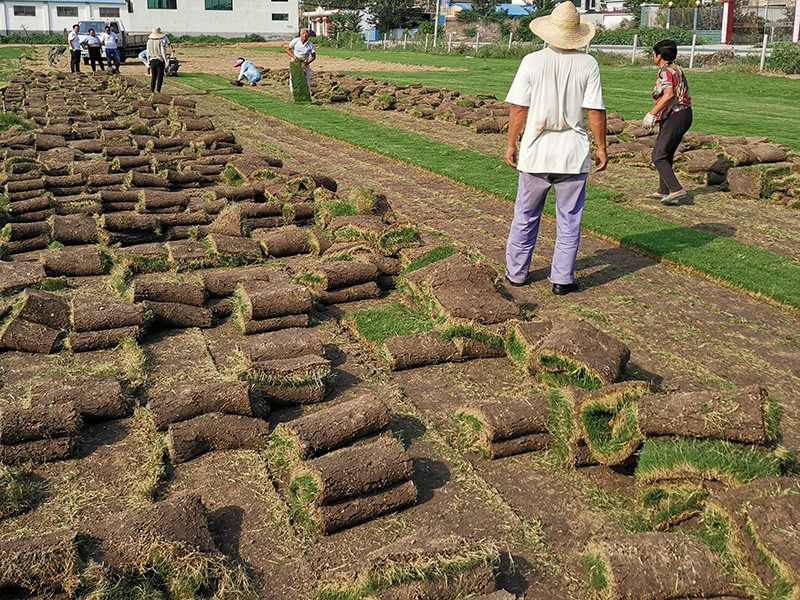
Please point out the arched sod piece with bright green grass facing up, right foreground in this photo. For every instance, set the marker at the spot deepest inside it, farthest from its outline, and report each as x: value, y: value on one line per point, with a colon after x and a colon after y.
x: 688, y: 458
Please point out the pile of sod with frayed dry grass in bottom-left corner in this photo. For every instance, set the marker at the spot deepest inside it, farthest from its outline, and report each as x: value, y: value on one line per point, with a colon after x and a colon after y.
x: 163, y: 546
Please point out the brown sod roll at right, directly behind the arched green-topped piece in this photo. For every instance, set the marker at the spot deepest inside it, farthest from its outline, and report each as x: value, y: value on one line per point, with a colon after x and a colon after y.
x: 737, y: 416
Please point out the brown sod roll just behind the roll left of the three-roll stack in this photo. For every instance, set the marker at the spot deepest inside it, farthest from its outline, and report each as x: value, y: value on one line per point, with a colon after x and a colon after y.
x: 181, y: 405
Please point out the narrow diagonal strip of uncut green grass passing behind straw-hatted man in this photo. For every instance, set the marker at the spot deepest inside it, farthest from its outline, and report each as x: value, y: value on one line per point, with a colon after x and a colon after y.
x: 753, y: 269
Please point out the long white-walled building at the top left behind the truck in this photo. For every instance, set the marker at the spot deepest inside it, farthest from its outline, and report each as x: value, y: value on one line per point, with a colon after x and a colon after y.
x: 271, y: 19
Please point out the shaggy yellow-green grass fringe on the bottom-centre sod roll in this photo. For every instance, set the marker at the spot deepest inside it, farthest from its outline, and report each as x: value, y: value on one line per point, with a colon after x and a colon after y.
x: 446, y: 564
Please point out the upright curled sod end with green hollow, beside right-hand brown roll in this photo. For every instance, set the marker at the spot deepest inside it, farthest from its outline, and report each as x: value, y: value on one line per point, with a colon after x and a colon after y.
x: 608, y: 421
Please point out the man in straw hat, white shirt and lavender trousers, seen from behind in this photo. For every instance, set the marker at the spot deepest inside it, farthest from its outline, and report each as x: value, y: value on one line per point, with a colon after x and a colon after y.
x: 549, y: 93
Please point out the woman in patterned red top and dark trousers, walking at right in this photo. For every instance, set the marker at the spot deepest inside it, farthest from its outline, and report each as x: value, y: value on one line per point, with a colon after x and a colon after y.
x: 672, y: 110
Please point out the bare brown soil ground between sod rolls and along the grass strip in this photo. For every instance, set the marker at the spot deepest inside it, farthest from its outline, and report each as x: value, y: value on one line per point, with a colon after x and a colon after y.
x: 685, y: 333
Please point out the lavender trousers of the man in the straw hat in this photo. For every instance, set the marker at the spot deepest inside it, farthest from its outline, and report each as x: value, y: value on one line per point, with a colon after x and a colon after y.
x: 531, y: 193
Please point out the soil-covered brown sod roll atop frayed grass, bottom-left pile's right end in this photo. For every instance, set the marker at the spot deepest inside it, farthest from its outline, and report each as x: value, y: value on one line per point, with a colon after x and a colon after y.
x: 123, y: 541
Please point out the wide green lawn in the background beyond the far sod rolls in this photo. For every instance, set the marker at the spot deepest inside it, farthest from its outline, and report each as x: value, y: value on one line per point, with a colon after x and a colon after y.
x: 724, y: 103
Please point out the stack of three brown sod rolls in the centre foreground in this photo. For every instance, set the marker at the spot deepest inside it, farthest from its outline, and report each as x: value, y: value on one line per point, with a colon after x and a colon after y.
x: 340, y: 466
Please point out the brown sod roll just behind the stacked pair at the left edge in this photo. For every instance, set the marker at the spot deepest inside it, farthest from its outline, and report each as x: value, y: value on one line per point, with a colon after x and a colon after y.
x: 95, y: 397
